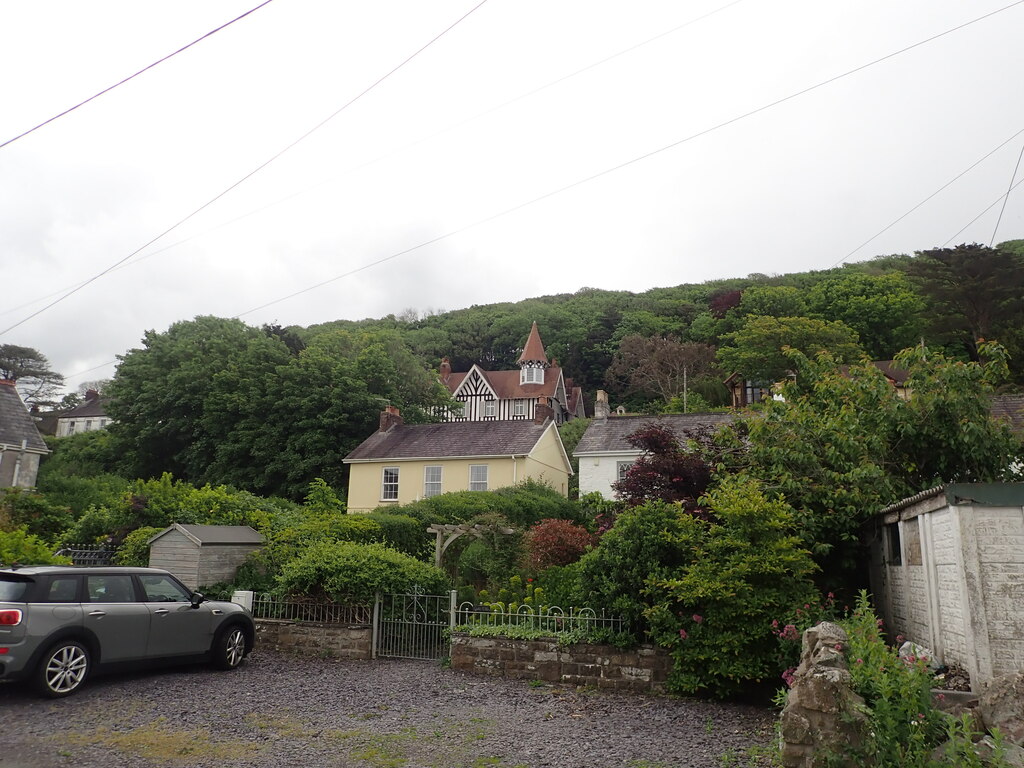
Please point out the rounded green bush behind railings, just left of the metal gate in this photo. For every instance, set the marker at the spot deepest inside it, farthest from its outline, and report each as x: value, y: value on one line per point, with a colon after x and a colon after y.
x: 345, y: 570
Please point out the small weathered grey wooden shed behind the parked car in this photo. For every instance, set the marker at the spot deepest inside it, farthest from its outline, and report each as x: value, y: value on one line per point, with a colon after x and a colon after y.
x: 203, y: 554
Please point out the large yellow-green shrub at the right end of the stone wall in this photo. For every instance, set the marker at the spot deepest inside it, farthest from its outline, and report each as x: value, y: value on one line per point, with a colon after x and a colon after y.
x: 714, y: 615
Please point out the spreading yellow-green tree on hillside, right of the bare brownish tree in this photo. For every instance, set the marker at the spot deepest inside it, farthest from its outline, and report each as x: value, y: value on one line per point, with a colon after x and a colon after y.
x: 756, y: 351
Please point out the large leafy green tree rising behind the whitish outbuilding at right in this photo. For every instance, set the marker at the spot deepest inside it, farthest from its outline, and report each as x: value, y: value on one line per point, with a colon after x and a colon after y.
x: 843, y: 445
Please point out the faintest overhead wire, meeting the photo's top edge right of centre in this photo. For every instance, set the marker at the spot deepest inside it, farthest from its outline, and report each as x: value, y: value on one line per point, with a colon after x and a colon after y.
x: 528, y: 95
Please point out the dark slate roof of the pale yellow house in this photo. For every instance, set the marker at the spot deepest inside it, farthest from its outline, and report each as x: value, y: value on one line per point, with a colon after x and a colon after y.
x: 451, y: 441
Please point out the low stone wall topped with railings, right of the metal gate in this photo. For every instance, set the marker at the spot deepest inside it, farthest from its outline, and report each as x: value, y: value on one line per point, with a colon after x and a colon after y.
x: 643, y: 670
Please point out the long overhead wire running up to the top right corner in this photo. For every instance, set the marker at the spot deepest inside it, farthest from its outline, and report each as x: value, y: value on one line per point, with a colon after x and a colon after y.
x: 628, y: 163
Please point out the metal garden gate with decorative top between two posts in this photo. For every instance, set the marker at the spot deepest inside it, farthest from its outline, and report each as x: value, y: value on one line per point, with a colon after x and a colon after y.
x: 414, y: 626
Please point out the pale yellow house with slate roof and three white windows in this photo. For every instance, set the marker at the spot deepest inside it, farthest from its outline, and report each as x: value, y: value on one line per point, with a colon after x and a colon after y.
x: 402, y: 463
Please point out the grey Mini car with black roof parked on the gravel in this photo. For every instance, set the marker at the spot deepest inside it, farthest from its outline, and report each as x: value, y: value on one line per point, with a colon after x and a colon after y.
x: 61, y: 624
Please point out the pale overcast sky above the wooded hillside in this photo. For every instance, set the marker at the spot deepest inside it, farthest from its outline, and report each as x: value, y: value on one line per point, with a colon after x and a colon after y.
x: 455, y: 149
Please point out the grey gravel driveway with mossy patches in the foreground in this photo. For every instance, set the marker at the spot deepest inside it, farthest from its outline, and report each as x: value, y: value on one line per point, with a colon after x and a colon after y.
x: 286, y: 711
